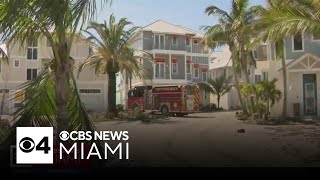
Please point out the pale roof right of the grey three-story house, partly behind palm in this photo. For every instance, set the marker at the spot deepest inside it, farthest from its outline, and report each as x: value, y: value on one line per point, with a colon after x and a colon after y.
x: 220, y: 59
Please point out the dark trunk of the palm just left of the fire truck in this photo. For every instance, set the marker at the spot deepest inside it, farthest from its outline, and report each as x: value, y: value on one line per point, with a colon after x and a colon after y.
x: 112, y: 107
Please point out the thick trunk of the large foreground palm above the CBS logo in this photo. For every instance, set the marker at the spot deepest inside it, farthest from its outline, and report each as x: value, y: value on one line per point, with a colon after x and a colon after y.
x: 62, y: 95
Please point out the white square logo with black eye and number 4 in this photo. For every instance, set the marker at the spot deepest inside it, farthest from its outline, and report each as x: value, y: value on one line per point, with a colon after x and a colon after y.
x: 35, y: 145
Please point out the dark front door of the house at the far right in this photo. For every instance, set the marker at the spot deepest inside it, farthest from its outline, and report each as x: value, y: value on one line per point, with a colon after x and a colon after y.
x: 310, y: 94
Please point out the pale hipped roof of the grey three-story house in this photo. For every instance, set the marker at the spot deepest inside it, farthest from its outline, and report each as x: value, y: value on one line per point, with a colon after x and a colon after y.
x: 168, y: 28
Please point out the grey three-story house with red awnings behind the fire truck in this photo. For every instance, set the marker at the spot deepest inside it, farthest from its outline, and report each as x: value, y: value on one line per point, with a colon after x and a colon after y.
x: 179, y: 57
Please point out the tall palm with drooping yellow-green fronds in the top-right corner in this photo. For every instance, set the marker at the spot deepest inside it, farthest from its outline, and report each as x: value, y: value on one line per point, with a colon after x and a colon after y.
x: 286, y: 18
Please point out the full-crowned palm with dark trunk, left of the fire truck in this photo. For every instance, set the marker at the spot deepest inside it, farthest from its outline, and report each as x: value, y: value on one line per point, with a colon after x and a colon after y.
x: 113, y: 54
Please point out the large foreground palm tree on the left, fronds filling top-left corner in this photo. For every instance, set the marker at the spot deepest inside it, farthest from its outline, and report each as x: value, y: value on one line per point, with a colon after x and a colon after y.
x: 58, y: 21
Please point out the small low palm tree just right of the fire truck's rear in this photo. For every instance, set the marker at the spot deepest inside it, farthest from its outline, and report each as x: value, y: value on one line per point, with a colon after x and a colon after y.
x: 219, y: 87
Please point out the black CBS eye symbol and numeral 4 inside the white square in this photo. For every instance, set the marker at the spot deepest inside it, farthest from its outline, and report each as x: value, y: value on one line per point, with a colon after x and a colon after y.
x: 27, y: 145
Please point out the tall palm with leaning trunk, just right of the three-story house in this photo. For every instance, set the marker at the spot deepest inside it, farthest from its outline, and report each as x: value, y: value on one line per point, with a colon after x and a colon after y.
x: 232, y: 30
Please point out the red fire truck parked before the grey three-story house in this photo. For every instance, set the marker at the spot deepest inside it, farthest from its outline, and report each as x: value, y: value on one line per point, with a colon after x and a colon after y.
x: 169, y: 100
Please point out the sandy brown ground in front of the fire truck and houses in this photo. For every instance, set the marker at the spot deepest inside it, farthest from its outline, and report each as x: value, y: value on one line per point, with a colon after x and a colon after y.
x: 211, y: 139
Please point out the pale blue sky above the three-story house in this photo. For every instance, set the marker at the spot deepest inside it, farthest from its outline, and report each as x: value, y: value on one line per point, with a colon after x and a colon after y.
x: 188, y: 13
